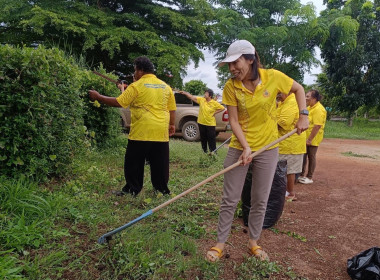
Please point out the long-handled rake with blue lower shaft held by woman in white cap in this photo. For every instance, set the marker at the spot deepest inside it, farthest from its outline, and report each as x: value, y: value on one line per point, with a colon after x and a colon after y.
x: 104, y: 238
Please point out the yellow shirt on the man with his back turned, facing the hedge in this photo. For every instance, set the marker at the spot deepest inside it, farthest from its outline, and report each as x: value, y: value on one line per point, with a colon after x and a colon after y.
x: 150, y: 100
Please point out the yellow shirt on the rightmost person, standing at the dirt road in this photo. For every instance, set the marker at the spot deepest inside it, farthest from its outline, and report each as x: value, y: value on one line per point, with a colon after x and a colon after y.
x: 317, y: 116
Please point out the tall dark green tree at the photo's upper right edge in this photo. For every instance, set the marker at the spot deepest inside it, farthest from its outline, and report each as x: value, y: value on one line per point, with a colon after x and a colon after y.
x: 352, y: 54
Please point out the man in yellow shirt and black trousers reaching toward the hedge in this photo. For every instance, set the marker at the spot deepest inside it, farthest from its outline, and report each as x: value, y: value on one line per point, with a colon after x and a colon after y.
x: 153, y: 108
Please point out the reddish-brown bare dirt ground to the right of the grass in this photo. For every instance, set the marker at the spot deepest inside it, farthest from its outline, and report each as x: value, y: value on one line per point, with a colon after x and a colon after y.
x: 339, y: 215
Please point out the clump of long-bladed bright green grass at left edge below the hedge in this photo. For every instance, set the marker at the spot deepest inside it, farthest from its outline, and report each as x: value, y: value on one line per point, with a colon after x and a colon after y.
x: 26, y: 213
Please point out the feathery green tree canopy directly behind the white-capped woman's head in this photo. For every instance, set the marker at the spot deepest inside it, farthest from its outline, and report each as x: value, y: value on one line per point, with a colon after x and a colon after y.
x: 284, y: 32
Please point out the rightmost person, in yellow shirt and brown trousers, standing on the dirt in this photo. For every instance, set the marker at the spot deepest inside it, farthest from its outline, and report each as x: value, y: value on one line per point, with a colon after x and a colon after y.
x: 314, y: 134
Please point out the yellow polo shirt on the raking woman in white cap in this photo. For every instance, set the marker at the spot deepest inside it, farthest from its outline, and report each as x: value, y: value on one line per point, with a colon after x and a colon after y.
x: 257, y: 110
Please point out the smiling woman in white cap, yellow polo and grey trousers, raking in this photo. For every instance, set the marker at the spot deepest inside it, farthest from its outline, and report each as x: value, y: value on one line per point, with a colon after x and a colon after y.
x: 250, y: 97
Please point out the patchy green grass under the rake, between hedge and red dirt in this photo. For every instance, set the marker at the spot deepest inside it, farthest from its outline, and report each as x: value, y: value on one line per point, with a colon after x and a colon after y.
x: 50, y: 231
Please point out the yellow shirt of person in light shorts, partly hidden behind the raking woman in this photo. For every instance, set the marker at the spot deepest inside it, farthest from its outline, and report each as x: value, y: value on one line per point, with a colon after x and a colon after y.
x: 287, y: 117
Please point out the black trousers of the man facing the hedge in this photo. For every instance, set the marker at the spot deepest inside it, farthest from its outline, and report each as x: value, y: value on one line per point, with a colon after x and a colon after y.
x: 158, y: 155
